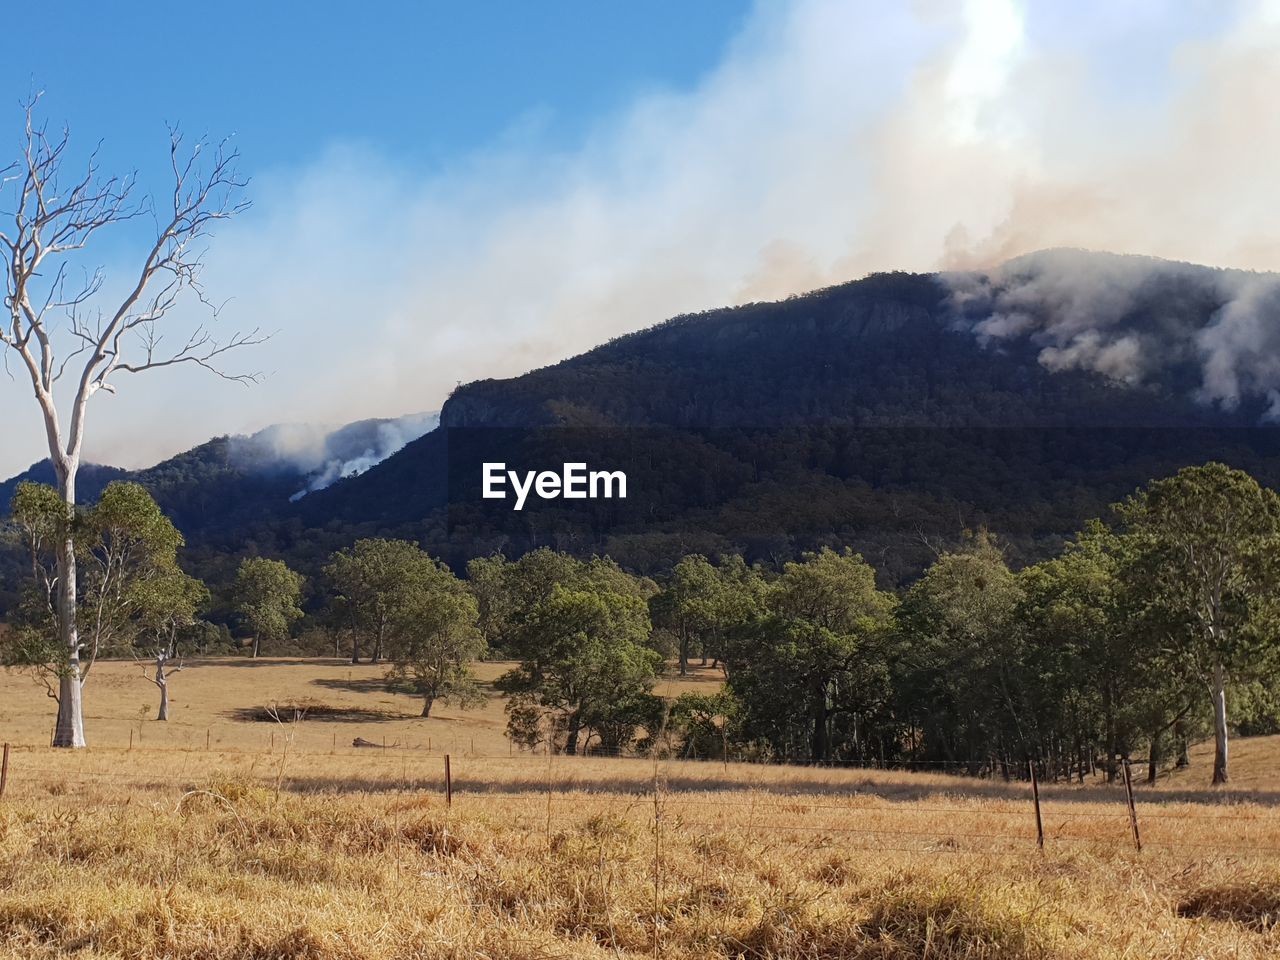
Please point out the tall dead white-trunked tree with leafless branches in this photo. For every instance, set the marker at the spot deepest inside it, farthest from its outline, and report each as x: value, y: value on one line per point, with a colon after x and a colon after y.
x: 57, y: 327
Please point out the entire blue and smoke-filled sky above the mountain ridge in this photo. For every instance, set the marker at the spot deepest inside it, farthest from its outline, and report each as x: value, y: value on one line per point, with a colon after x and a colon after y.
x: 444, y: 193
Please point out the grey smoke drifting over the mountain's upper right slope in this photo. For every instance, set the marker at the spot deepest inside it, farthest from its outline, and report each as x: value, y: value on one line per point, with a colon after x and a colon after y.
x: 1084, y: 313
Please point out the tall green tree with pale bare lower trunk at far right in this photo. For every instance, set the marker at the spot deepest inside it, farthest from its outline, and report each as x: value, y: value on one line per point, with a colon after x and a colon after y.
x: 1208, y: 542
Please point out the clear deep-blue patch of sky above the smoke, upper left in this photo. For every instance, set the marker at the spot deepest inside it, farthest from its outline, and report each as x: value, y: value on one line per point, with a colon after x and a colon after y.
x: 423, y: 81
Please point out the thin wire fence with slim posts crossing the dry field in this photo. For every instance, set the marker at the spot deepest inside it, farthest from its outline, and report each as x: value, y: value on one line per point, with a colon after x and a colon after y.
x: 845, y: 807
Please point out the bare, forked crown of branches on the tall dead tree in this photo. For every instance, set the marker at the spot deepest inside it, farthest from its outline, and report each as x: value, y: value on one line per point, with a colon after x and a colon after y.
x: 53, y: 220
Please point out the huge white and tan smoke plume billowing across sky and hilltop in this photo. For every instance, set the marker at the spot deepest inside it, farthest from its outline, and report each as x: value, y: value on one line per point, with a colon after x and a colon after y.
x: 834, y: 139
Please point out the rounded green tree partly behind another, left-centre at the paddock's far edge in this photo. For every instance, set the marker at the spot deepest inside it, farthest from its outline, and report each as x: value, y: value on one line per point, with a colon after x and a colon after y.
x: 378, y: 582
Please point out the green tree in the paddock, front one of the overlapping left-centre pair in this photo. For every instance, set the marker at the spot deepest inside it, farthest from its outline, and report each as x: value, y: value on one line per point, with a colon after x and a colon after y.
x: 436, y: 639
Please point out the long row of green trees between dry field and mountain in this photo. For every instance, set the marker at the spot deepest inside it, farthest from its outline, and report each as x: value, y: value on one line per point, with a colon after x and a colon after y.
x: 1140, y: 637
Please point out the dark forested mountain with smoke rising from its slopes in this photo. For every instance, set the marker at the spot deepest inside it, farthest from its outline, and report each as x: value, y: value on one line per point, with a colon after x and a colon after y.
x: 889, y: 414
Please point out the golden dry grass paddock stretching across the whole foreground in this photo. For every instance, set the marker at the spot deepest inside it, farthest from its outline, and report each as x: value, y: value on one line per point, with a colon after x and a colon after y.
x: 221, y: 835
